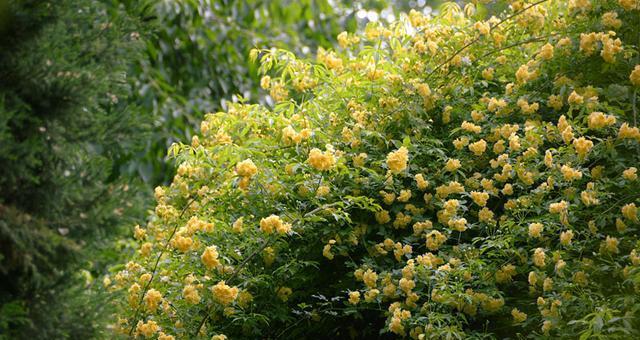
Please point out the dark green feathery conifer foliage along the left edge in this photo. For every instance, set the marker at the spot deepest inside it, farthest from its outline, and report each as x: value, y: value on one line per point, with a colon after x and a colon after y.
x: 66, y: 131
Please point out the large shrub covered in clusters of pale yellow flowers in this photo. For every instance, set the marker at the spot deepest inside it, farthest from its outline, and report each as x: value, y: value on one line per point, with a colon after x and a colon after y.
x: 445, y: 177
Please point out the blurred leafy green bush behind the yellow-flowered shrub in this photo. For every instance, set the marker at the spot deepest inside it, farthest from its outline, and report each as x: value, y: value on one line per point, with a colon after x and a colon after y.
x: 197, y: 59
